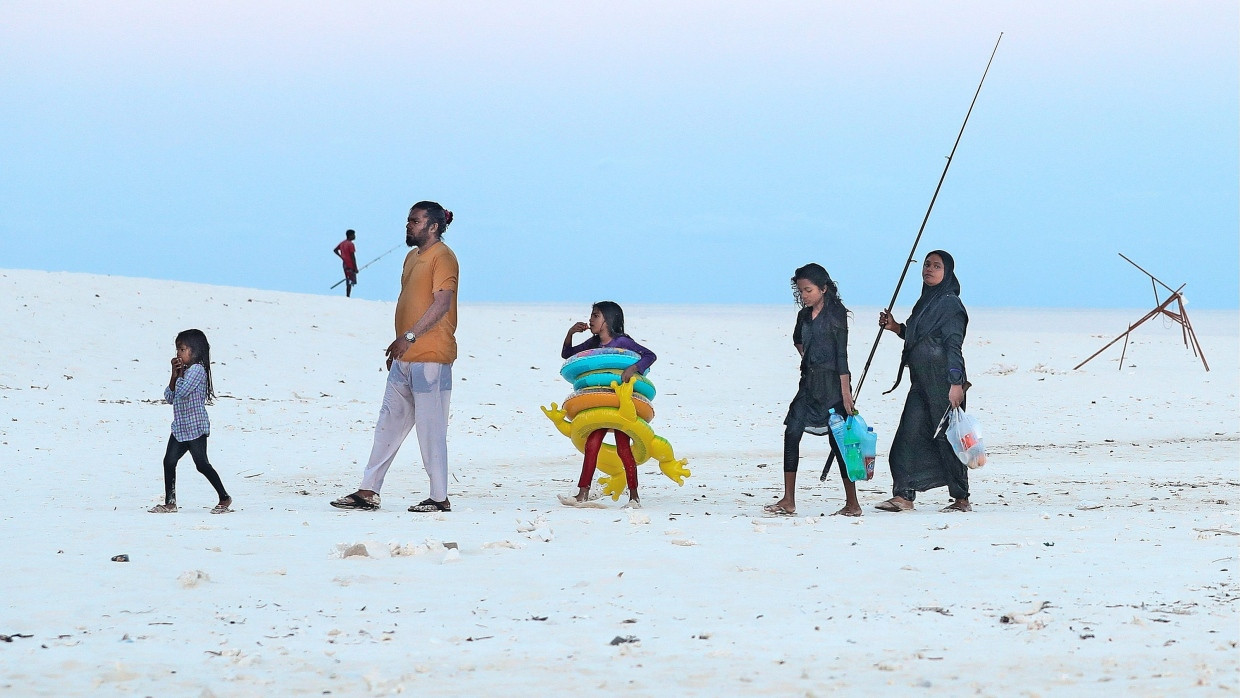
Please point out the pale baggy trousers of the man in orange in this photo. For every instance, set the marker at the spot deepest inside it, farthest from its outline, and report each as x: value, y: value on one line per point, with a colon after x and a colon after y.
x: 417, y: 395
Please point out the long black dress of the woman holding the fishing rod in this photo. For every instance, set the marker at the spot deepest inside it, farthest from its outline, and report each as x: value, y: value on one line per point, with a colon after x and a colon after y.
x: 933, y: 353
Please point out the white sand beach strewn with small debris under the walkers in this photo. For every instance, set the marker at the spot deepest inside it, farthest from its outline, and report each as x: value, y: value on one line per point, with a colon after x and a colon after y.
x: 1105, y: 524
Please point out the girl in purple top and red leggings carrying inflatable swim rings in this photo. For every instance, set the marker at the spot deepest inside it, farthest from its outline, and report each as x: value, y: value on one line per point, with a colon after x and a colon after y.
x: 607, y: 324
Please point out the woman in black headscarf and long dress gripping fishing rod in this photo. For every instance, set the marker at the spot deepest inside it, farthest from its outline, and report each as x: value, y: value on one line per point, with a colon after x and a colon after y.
x: 933, y: 337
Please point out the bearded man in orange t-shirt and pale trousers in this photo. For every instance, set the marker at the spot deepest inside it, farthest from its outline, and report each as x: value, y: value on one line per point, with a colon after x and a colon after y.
x: 420, y: 364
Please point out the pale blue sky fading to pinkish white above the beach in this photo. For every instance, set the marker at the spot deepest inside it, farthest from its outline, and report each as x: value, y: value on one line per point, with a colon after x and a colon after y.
x: 643, y: 152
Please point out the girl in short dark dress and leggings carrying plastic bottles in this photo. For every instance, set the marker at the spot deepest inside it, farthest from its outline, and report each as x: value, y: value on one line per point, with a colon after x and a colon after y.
x: 821, y: 337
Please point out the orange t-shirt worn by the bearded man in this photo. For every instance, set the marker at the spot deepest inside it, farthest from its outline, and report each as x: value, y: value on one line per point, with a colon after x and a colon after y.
x: 426, y: 273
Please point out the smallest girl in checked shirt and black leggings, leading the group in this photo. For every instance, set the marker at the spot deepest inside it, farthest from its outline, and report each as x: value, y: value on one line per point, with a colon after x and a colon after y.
x: 189, y: 391
